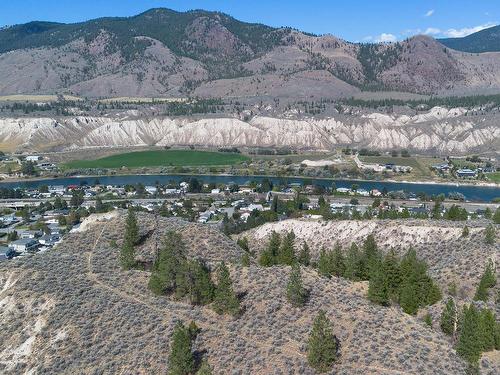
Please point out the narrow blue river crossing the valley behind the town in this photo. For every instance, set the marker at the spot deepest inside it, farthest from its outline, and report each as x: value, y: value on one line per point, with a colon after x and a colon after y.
x: 471, y: 192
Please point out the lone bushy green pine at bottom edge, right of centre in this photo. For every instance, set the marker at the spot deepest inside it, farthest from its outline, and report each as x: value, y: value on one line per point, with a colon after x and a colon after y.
x: 322, y: 345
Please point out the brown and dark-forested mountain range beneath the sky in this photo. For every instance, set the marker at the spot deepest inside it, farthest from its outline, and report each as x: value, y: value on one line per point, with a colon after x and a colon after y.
x: 210, y: 54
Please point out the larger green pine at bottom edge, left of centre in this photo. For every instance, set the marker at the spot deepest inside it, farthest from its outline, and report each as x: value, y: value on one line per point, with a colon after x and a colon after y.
x: 181, y: 359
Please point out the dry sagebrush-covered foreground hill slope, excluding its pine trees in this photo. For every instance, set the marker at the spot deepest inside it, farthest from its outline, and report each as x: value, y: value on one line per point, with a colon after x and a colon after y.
x: 95, y: 318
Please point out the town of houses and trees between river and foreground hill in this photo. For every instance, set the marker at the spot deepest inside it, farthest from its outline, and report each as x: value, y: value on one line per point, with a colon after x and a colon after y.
x: 35, y: 220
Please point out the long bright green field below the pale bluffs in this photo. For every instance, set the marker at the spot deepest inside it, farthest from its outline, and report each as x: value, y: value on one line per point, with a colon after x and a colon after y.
x: 160, y: 158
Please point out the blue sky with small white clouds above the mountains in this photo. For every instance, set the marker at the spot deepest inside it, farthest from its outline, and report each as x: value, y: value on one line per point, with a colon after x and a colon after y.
x: 354, y: 20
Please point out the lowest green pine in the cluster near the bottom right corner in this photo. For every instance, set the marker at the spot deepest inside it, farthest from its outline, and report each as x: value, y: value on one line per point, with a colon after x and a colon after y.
x: 469, y: 342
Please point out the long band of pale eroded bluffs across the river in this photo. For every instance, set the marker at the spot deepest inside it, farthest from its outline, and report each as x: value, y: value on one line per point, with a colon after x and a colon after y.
x: 439, y: 130
